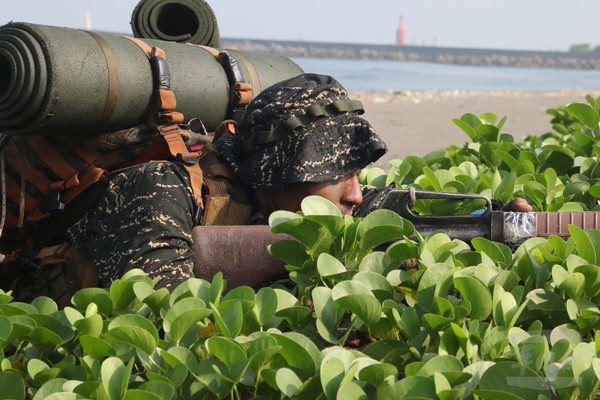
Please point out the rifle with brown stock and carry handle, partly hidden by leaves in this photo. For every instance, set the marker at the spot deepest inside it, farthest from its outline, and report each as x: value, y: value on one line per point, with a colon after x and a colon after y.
x: 240, y: 252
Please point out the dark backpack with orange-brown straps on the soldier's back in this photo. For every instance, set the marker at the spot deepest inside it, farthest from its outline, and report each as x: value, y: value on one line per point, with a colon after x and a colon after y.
x: 49, y: 182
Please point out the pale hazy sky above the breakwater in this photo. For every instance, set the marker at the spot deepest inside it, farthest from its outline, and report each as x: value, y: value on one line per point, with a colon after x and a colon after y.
x: 498, y: 24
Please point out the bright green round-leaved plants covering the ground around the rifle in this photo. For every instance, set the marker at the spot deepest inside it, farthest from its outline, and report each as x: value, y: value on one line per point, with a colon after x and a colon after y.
x: 432, y: 318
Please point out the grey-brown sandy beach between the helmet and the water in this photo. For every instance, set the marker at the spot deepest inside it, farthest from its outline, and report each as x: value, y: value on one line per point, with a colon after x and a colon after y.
x: 418, y: 122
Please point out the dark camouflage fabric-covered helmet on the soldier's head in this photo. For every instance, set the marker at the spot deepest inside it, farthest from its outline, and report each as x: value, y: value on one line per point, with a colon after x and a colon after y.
x: 304, y: 129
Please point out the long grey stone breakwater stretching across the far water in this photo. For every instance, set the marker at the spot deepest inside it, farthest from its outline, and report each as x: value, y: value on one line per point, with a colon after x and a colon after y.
x: 446, y: 55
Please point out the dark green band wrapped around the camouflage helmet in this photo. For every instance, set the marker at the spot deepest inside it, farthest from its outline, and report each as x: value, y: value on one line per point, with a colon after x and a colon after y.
x: 295, y: 122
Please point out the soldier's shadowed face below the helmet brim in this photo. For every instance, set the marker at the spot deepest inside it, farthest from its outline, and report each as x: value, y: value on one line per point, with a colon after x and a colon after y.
x: 345, y: 193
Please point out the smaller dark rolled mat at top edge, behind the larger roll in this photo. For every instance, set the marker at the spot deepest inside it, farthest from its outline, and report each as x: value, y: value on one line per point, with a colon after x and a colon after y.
x: 180, y: 21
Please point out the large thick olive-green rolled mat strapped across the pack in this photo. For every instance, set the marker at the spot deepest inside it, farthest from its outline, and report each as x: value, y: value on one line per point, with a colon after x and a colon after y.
x: 67, y: 81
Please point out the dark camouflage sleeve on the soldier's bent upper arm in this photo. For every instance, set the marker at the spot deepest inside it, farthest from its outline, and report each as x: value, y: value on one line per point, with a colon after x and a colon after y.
x: 144, y: 220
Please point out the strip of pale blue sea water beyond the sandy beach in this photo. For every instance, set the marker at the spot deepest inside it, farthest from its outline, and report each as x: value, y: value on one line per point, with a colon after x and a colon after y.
x: 395, y: 75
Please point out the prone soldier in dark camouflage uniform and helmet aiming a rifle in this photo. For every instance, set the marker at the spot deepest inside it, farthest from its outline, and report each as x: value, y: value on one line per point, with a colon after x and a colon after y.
x: 300, y: 137
